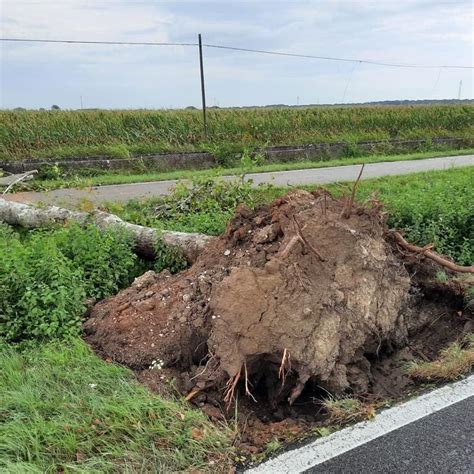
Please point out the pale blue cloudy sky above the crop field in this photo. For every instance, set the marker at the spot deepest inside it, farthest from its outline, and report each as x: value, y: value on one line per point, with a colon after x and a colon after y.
x: 424, y: 32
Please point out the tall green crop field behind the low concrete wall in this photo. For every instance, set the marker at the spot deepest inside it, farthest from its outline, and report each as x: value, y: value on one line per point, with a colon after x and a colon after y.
x: 39, y: 134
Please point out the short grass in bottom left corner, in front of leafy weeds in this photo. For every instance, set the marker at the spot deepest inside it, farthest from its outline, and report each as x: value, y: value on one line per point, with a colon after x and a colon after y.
x: 62, y: 409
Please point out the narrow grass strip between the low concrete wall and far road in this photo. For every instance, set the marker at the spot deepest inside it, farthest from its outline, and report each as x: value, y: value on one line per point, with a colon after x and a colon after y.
x: 98, y: 178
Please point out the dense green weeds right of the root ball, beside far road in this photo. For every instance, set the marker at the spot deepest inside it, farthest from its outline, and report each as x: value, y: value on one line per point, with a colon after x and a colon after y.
x: 435, y: 207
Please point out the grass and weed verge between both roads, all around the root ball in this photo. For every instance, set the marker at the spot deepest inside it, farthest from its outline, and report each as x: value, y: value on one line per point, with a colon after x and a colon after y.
x: 62, y: 409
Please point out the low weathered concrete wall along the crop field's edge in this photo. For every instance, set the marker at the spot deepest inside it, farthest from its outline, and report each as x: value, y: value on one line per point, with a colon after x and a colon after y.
x: 196, y: 160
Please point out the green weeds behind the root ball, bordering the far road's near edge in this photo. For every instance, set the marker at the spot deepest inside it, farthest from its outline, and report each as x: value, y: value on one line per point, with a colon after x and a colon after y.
x: 430, y: 207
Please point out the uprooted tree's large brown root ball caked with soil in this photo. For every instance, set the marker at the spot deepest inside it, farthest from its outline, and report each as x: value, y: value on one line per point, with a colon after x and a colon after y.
x: 307, y: 291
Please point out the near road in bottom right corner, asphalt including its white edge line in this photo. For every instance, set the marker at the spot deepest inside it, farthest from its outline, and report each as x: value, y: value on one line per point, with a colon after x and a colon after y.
x: 433, y: 433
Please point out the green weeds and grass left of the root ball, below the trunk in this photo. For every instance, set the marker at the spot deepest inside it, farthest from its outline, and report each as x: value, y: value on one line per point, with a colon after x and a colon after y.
x: 62, y: 409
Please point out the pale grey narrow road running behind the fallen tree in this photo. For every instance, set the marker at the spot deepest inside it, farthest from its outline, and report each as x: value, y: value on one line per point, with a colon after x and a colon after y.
x: 125, y: 192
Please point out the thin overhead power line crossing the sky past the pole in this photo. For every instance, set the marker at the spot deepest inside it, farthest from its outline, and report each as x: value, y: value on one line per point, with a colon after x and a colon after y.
x: 246, y: 50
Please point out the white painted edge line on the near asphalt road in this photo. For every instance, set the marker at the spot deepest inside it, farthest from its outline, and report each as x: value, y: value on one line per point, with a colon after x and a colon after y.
x: 323, y: 449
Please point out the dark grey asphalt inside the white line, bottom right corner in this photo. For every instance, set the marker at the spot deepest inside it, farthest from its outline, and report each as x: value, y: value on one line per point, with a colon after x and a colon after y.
x: 440, y: 443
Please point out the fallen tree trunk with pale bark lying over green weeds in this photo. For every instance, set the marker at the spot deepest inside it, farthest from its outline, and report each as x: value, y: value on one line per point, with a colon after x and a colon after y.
x: 31, y: 217
